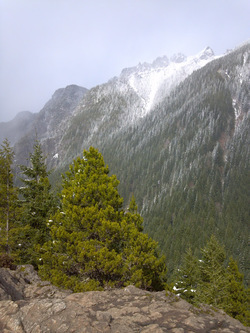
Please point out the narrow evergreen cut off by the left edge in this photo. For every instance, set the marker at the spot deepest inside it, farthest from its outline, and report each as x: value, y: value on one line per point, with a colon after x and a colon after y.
x: 8, y: 198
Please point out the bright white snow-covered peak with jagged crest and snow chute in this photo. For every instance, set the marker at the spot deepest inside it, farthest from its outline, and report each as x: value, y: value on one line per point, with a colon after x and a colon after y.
x: 150, y: 80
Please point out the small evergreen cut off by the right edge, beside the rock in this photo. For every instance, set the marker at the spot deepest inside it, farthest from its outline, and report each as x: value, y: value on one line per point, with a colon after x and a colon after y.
x: 237, y: 301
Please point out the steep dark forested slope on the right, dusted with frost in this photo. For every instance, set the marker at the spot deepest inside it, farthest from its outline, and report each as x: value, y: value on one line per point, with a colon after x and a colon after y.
x: 187, y: 162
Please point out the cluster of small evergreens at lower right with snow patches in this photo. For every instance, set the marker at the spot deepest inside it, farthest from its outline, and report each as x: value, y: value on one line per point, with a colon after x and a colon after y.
x: 209, y: 281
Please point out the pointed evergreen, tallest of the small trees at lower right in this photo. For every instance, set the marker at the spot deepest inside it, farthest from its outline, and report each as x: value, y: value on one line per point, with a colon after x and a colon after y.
x: 212, y: 286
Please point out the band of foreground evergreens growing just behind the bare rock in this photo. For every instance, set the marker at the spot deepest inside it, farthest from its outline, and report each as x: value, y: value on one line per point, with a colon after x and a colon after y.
x: 82, y: 238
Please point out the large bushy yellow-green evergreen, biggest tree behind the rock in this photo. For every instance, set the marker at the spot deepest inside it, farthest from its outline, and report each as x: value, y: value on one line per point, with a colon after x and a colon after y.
x: 95, y: 244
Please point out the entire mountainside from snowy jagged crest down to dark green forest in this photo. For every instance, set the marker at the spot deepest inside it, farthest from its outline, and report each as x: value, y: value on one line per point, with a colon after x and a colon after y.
x: 183, y: 152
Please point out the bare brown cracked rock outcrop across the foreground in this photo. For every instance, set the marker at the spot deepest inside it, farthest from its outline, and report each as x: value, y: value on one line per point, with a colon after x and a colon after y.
x: 29, y: 305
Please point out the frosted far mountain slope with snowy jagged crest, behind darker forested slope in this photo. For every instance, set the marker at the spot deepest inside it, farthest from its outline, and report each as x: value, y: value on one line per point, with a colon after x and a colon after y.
x: 108, y: 110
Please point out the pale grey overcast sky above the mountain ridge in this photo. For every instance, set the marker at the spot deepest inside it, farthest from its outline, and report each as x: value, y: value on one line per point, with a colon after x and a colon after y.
x: 49, y: 44
